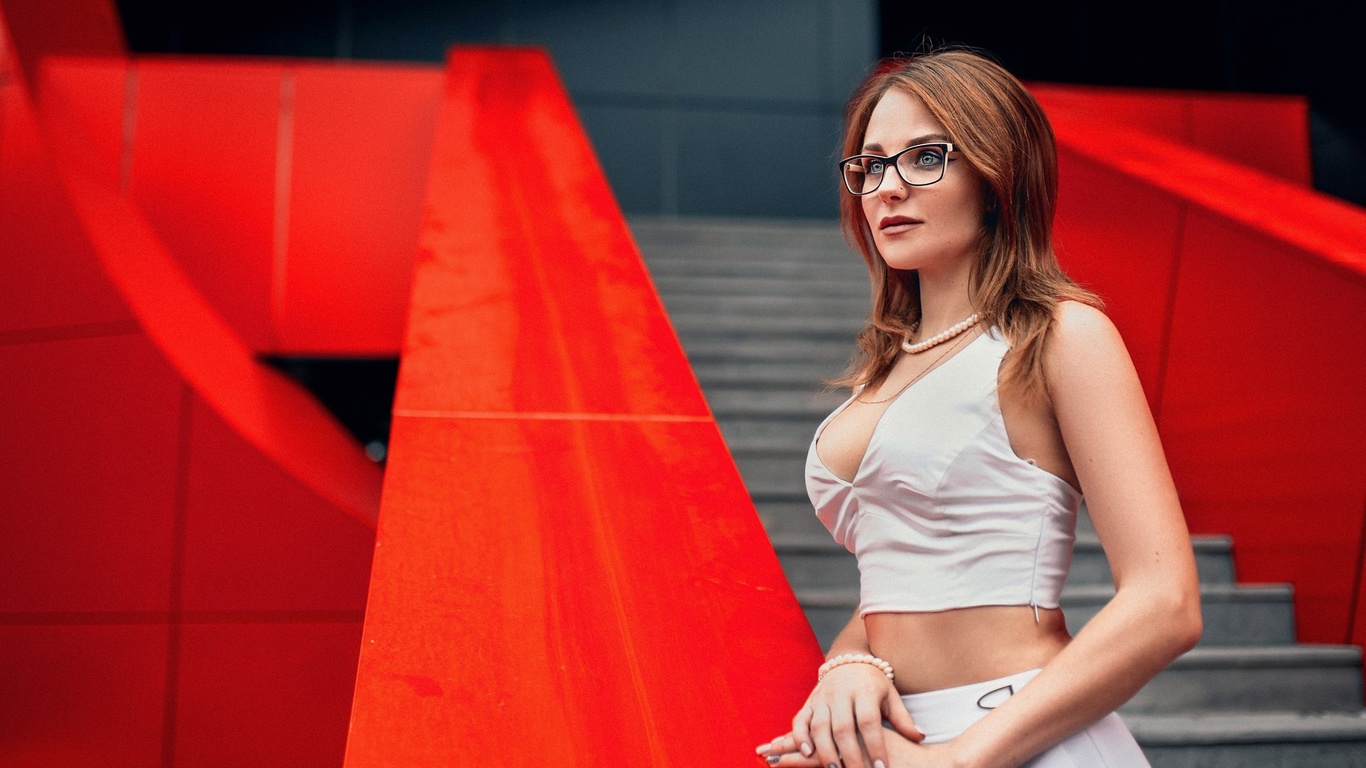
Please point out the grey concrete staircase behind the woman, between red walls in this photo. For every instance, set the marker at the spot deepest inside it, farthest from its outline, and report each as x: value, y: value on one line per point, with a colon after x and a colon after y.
x: 768, y: 310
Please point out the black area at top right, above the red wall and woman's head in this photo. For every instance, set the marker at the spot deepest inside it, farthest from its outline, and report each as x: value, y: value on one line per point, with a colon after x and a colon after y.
x: 1316, y: 49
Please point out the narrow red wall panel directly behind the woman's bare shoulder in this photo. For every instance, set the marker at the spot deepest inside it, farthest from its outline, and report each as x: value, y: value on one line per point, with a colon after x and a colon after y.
x: 1121, y: 238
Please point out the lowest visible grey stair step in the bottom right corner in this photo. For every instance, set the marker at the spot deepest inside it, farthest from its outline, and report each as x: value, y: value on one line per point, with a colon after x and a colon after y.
x: 1236, y: 740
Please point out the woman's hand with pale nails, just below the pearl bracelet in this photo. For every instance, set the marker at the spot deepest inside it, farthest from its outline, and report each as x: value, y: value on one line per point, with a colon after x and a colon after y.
x: 842, y: 722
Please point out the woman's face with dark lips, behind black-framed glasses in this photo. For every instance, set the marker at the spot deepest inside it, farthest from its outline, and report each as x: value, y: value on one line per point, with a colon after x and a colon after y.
x: 930, y: 229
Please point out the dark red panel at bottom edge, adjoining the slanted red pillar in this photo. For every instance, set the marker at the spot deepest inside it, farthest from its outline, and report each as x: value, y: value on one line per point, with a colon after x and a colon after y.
x: 264, y: 695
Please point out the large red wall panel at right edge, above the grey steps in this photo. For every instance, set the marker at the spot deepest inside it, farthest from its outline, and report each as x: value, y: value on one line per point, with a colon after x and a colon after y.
x: 1264, y: 413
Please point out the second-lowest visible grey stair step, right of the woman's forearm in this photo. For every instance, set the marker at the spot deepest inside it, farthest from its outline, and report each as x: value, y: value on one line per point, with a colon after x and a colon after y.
x: 1319, y: 678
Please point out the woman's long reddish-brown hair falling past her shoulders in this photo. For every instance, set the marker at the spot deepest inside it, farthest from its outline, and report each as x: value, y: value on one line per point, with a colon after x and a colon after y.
x: 1005, y: 136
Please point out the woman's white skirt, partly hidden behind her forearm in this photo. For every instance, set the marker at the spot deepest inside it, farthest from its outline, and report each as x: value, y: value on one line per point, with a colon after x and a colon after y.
x: 946, y: 714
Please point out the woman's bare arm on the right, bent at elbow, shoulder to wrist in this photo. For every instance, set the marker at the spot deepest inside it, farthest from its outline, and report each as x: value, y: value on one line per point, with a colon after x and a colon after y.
x: 1155, y: 616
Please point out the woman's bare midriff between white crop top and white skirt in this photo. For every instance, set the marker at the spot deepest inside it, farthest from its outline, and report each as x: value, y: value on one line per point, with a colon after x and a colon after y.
x: 934, y: 651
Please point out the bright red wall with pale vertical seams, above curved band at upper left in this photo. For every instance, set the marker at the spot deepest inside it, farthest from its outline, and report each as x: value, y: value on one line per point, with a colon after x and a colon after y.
x: 290, y: 193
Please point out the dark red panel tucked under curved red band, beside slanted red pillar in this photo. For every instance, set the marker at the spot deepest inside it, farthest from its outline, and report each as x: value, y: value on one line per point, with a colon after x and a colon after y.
x: 259, y: 542
